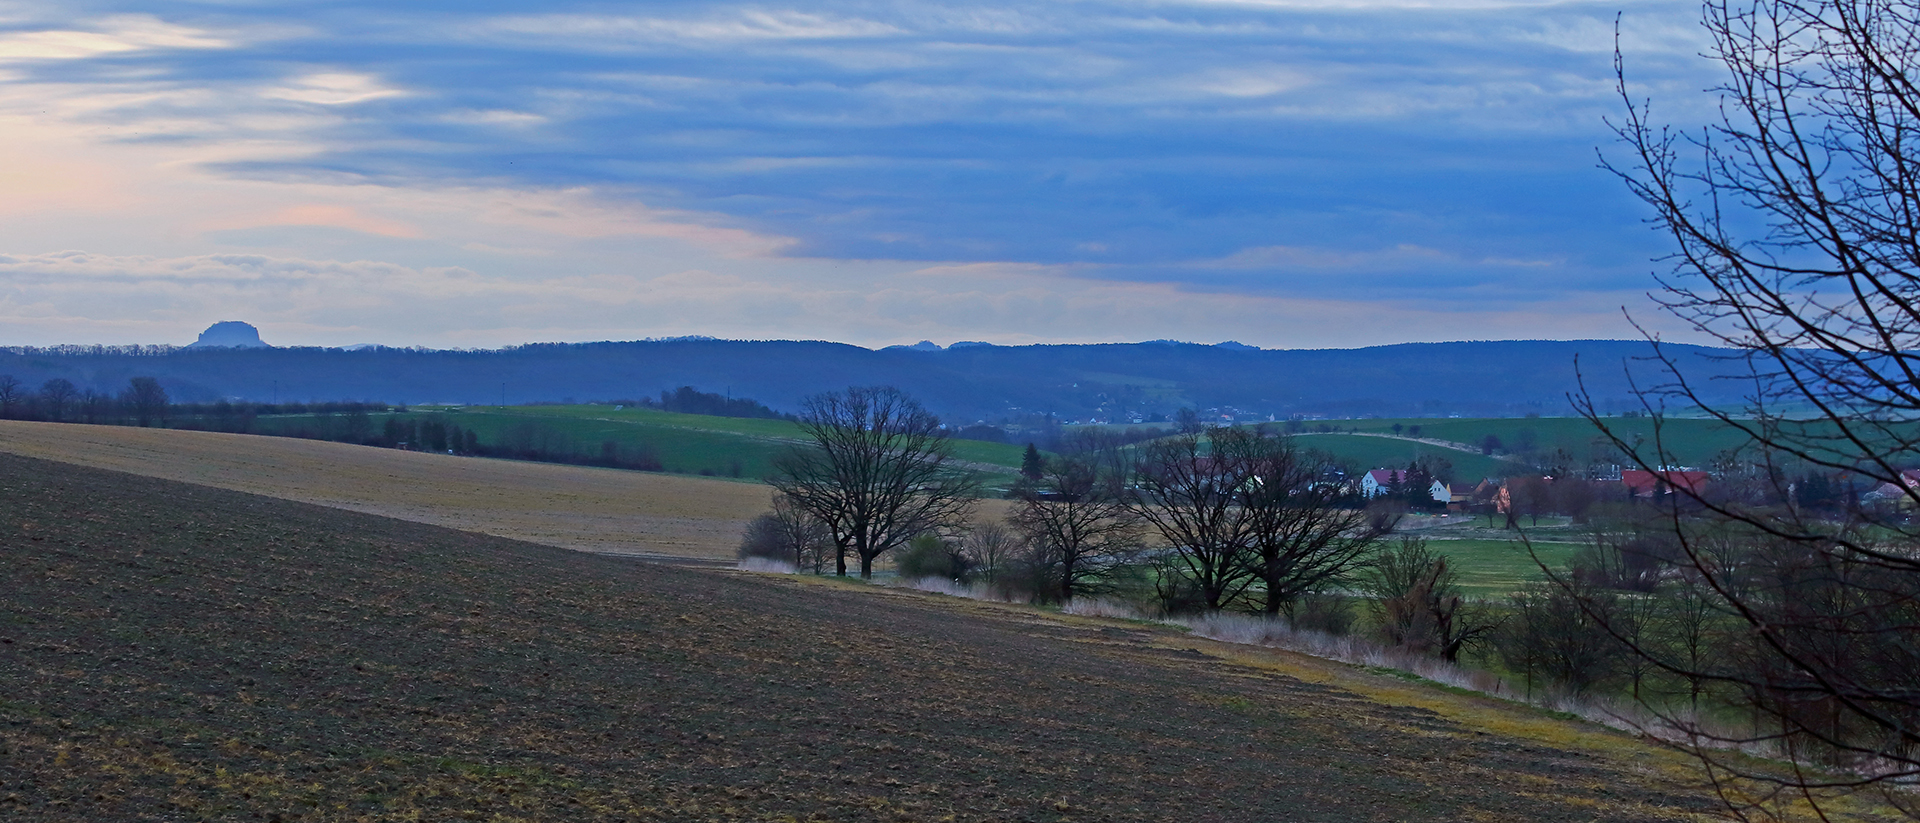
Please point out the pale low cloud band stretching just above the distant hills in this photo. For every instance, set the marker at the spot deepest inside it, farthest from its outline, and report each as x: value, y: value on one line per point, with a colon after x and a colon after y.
x: 306, y: 302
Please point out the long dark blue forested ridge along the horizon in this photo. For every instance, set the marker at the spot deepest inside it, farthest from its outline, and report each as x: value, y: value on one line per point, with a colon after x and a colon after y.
x: 961, y: 383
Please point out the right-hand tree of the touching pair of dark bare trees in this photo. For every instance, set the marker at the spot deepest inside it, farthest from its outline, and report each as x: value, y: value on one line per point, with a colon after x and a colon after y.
x: 1299, y: 538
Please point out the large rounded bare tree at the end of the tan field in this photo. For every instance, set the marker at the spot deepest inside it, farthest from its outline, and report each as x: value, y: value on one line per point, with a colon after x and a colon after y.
x: 876, y: 473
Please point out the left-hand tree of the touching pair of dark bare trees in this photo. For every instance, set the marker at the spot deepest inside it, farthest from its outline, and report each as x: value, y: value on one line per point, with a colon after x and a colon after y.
x: 1188, y: 488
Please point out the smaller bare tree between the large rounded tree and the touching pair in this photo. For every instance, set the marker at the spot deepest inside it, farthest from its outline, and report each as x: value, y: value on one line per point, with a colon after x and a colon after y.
x: 1078, y: 523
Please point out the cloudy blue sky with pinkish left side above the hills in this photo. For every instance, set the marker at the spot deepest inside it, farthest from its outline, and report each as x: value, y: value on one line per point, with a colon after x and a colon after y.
x: 1285, y: 174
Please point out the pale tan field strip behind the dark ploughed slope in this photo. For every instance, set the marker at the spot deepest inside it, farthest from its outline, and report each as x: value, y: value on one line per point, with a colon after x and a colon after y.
x: 569, y: 507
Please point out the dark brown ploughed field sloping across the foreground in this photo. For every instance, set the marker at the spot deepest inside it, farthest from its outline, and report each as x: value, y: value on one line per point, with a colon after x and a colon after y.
x: 174, y: 651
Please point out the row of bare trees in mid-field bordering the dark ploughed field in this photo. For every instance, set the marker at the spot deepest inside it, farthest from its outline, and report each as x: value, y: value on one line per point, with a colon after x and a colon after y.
x: 1212, y: 519
